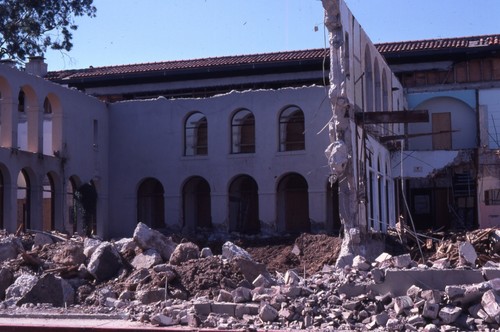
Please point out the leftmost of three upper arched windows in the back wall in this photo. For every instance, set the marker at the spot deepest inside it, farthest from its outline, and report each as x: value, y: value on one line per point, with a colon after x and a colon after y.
x: 196, y: 135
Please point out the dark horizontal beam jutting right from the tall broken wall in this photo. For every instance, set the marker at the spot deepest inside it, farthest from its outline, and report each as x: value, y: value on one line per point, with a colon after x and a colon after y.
x: 392, y: 117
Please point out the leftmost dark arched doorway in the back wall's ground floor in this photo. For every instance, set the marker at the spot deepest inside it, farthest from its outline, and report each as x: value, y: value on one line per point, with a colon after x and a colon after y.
x: 150, y: 203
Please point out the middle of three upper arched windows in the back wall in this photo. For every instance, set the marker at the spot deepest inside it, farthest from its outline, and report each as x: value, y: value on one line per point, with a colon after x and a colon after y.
x: 243, y: 132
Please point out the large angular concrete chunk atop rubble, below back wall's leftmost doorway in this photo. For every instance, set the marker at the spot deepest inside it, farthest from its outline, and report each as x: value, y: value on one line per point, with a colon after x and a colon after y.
x: 147, y: 238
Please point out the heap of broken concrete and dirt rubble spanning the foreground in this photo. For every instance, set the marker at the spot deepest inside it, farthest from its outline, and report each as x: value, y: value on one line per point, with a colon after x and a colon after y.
x: 152, y: 279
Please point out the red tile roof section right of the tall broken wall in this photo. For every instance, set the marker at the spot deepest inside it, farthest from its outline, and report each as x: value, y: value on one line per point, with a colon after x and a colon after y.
x: 438, y: 44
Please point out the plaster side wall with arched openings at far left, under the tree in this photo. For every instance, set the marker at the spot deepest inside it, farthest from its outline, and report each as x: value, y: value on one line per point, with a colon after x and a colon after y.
x: 85, y: 156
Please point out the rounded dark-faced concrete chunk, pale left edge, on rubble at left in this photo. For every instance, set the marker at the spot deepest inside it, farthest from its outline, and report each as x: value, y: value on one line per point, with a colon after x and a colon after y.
x: 104, y: 262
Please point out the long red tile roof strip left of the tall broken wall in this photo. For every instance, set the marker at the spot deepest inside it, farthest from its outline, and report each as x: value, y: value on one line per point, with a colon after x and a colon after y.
x: 313, y: 54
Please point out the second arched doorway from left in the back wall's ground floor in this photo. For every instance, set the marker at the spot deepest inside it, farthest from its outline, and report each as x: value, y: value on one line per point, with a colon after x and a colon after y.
x: 197, y: 211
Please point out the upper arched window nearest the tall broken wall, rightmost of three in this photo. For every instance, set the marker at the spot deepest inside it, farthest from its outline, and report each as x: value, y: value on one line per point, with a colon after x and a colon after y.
x: 292, y: 136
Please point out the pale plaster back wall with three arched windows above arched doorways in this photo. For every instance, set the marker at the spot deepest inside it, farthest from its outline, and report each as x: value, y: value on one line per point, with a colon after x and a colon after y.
x: 147, y: 141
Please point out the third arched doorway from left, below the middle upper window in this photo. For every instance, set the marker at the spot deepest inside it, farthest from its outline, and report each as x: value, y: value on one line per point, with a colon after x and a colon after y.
x: 244, y: 205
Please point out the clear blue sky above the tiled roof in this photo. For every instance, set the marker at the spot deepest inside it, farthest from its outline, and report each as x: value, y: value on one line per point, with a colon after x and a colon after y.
x: 137, y: 31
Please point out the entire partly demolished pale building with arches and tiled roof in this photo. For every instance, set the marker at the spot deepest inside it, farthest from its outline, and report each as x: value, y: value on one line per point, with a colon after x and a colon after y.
x: 237, y: 144
